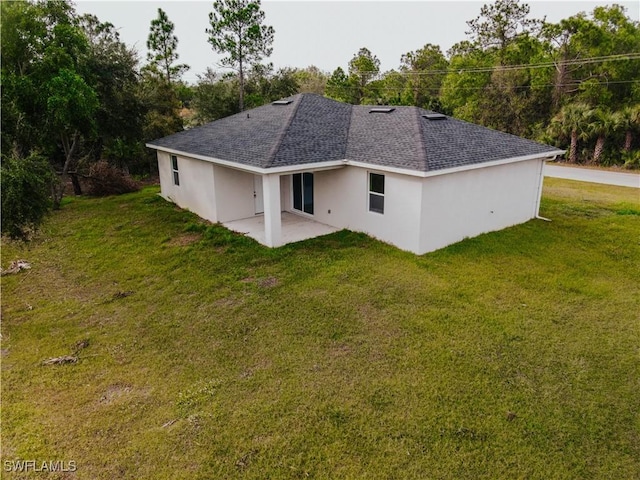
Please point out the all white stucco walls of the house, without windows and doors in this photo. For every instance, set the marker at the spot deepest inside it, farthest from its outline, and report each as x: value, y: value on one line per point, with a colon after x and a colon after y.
x: 420, y: 214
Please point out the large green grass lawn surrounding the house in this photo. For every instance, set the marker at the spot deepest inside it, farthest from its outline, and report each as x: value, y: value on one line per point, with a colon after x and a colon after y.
x: 202, y: 355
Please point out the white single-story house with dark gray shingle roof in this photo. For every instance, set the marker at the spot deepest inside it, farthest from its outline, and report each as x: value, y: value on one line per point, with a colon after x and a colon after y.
x: 308, y: 165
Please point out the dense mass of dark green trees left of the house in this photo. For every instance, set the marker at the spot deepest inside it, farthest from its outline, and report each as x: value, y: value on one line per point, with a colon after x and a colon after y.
x: 69, y: 90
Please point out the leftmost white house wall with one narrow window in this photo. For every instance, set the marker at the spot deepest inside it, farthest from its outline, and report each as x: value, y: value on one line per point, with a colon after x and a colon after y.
x: 195, y: 192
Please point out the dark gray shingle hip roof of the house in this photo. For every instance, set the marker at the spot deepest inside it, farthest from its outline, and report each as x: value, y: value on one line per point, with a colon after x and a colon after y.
x: 314, y: 129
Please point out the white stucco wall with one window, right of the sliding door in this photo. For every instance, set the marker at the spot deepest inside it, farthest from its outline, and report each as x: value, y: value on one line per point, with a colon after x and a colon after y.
x: 345, y: 192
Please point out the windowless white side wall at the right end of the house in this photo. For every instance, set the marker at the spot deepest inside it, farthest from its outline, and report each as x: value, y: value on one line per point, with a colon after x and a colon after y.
x: 468, y: 203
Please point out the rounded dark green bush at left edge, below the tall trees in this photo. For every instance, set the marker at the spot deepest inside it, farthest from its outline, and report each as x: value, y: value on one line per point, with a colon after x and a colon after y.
x: 26, y: 184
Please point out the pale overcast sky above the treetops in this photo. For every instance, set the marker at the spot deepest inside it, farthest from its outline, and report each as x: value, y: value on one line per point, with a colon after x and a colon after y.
x: 322, y: 33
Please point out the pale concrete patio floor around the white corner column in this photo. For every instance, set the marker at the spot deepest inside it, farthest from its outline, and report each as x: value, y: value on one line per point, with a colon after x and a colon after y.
x: 294, y: 228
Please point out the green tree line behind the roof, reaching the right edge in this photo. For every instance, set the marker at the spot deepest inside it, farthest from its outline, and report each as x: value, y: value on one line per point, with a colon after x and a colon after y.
x: 574, y: 84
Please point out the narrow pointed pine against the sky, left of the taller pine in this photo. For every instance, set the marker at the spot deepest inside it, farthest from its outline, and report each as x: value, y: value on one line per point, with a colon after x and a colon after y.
x: 162, y: 45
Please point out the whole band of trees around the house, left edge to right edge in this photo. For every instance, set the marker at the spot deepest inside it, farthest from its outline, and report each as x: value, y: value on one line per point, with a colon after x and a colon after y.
x: 74, y: 95
